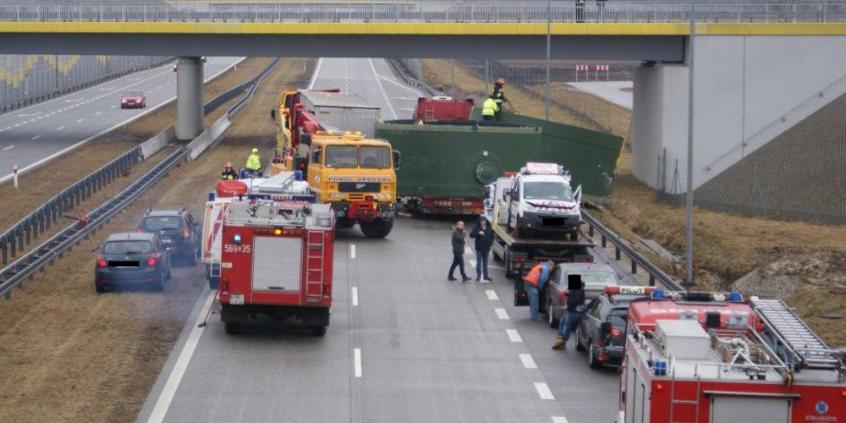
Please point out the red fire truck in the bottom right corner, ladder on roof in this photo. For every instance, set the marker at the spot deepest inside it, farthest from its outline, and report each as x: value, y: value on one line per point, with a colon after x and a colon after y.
x: 715, y: 358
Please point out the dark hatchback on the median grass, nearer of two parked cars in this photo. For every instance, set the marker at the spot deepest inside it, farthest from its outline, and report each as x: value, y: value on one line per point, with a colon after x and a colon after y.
x: 131, y: 258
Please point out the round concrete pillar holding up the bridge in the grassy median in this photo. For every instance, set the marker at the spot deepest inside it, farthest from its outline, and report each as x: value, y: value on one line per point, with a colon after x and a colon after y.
x: 189, y: 98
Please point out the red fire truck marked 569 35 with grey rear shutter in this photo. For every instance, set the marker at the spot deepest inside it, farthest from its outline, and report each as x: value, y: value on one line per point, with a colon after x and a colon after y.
x: 276, y: 261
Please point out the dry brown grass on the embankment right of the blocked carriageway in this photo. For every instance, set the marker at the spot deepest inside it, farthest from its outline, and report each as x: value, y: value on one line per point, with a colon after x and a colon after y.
x: 726, y: 246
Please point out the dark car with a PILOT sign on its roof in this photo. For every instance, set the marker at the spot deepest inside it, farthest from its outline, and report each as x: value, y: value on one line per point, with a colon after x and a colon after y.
x: 602, y: 331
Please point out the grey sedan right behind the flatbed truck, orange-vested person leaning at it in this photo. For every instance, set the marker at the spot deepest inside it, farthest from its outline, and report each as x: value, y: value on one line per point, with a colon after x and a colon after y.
x: 596, y: 277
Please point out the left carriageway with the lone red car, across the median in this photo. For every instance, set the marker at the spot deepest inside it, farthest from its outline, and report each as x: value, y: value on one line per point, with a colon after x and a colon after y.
x: 32, y: 134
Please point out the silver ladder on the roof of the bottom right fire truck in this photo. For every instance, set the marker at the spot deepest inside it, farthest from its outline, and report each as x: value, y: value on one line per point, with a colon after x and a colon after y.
x: 792, y: 339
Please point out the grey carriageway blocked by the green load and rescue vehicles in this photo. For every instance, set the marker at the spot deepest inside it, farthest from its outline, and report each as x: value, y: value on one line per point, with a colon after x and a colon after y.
x: 404, y: 344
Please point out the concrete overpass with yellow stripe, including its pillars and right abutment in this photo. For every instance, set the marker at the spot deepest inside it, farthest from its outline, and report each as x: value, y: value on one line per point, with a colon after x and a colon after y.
x: 747, y: 56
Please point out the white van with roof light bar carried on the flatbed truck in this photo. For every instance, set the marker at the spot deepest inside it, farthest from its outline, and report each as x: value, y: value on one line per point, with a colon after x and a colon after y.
x: 541, y: 201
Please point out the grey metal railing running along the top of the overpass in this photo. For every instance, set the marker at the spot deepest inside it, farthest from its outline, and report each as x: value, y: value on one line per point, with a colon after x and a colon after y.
x: 829, y: 11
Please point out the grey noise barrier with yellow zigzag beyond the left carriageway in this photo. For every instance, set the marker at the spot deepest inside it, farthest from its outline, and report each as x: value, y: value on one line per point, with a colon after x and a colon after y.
x: 28, y: 79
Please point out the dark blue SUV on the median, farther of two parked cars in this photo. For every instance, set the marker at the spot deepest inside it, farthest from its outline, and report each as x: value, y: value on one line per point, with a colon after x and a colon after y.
x: 177, y: 229
